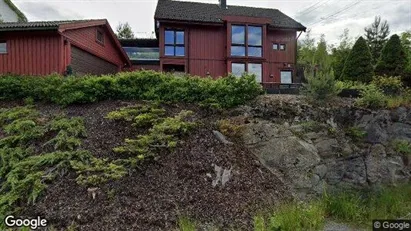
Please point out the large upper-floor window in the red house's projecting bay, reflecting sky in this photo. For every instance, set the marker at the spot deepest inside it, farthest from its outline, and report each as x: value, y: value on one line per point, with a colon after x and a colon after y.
x: 246, y: 41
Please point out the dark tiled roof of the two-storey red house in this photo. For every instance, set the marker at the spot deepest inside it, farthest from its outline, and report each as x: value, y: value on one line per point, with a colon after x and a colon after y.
x: 213, y: 13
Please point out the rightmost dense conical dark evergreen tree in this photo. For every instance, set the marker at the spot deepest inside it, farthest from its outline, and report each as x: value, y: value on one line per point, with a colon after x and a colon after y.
x: 393, y: 59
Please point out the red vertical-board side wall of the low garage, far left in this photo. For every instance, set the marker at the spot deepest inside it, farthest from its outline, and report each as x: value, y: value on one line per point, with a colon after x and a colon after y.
x: 32, y: 53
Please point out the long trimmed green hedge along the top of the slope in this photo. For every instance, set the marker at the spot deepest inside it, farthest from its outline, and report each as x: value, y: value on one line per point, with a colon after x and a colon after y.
x: 143, y: 85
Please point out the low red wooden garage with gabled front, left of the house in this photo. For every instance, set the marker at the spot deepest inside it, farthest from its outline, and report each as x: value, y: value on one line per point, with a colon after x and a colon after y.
x: 41, y: 48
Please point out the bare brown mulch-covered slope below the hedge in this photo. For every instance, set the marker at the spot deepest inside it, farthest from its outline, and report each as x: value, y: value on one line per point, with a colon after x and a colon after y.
x: 179, y: 184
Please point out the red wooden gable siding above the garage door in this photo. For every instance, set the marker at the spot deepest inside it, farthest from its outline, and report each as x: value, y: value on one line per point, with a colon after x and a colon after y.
x: 85, y: 38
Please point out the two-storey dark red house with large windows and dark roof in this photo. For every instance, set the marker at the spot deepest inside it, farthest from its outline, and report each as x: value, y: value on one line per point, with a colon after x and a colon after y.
x: 216, y: 39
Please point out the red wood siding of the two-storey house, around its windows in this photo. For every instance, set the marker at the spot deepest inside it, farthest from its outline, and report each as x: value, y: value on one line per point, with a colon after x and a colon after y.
x: 207, y: 47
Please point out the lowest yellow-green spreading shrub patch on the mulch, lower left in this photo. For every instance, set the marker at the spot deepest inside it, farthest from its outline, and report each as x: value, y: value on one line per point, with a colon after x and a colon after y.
x: 97, y: 171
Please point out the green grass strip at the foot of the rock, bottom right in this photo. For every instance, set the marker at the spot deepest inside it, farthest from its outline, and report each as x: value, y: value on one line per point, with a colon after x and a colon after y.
x: 356, y: 208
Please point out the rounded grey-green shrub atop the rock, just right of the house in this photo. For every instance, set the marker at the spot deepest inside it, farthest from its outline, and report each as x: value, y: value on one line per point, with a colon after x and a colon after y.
x: 321, y: 88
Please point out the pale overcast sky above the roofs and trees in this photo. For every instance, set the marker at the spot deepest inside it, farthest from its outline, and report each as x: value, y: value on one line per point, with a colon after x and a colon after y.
x: 328, y: 17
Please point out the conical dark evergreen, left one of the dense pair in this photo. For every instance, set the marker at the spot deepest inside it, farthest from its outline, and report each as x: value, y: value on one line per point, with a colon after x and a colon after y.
x: 358, y: 65
